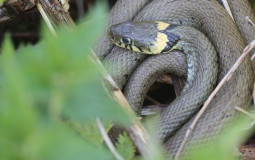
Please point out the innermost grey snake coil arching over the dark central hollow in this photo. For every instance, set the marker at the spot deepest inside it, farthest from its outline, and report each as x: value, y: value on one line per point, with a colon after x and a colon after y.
x: 174, y: 63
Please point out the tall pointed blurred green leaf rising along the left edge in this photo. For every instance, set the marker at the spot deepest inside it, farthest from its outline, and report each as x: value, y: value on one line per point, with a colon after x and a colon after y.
x: 17, y: 114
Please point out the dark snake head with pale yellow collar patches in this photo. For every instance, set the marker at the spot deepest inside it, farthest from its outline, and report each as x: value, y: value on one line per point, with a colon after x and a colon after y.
x: 144, y: 37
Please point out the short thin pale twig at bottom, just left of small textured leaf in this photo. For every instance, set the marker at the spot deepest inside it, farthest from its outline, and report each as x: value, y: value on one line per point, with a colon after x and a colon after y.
x: 107, y: 140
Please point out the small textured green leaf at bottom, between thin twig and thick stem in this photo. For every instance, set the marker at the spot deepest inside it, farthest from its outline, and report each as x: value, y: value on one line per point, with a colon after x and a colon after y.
x: 125, y: 147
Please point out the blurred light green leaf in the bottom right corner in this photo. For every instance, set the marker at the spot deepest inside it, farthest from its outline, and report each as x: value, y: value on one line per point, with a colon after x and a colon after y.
x: 225, y: 147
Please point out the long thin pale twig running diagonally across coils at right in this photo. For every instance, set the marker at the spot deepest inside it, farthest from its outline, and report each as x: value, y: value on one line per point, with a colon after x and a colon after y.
x: 226, y: 78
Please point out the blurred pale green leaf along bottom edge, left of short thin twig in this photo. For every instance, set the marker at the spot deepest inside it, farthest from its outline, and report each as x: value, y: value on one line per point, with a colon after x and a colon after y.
x: 59, y: 143
